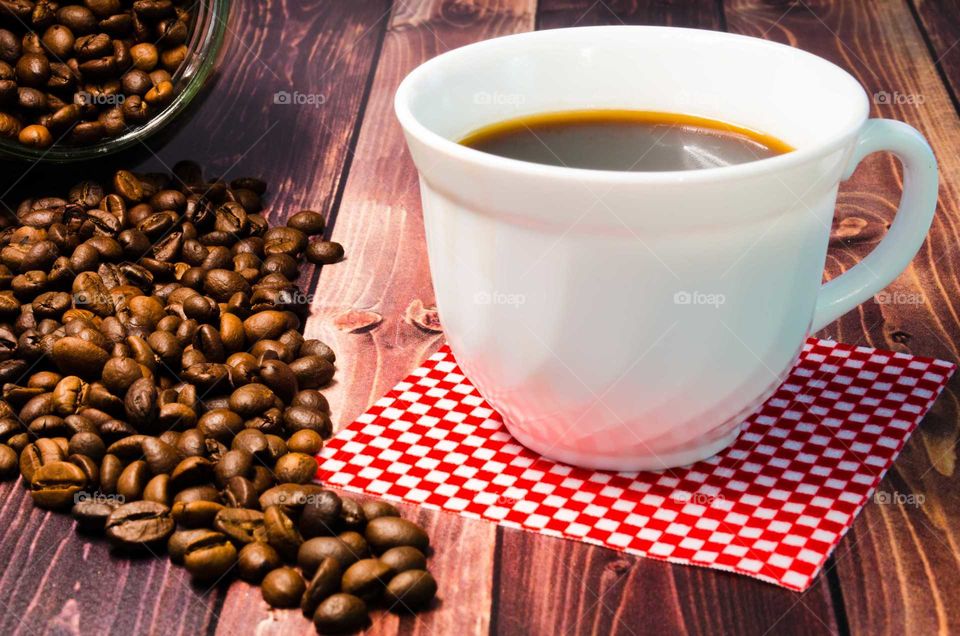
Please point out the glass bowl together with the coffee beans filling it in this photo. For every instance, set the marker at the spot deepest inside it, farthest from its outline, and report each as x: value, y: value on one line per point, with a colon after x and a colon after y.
x: 79, y: 80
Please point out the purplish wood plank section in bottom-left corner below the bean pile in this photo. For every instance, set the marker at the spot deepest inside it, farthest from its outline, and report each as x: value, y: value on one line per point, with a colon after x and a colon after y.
x: 57, y: 582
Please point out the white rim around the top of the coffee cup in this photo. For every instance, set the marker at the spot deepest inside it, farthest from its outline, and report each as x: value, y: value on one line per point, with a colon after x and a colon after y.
x: 455, y: 151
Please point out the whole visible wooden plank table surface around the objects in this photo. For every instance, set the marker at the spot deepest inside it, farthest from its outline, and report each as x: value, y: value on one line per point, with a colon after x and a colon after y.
x: 898, y: 569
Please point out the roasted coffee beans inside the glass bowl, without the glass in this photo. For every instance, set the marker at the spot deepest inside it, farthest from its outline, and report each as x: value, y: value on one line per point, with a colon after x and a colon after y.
x: 84, y: 71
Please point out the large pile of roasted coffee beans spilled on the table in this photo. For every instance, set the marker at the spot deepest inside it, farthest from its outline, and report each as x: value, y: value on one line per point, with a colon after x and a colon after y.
x: 157, y: 385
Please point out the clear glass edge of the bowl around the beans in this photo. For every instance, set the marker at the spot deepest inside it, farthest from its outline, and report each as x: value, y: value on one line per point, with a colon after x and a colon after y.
x: 203, y: 49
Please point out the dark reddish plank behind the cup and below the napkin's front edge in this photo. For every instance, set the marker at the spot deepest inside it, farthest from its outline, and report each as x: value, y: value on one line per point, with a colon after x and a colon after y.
x: 594, y: 590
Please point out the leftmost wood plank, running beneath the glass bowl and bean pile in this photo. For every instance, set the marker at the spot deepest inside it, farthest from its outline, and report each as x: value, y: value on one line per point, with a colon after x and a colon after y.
x: 63, y: 583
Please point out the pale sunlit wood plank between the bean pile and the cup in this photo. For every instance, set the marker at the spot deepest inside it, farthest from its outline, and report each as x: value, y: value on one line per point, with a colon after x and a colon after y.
x: 379, y: 222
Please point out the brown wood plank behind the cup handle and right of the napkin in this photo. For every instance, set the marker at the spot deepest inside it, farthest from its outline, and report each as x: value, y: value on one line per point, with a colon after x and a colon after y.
x: 898, y: 564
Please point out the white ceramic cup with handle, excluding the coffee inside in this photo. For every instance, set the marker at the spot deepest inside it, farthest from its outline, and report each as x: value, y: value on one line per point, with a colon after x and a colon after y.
x: 630, y: 320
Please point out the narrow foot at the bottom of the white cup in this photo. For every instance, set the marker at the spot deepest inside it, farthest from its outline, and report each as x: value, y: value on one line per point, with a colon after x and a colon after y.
x: 628, y: 464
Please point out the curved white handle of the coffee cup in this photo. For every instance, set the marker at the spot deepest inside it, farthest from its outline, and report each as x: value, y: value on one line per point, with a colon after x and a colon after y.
x: 909, y: 228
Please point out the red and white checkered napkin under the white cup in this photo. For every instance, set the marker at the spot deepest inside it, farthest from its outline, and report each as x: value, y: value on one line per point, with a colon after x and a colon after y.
x: 772, y: 506
